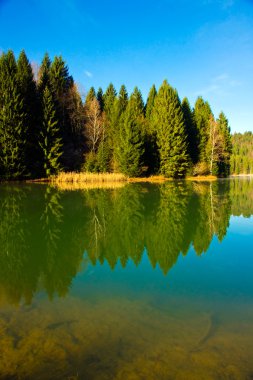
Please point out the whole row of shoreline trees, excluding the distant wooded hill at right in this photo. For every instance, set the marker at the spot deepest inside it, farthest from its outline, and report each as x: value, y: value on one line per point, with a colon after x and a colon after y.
x: 45, y: 127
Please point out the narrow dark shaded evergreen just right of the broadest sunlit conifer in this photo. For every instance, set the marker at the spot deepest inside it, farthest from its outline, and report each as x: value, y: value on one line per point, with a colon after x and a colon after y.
x: 191, y: 131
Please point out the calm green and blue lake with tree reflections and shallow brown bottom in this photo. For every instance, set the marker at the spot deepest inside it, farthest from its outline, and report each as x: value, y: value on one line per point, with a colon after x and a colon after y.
x: 139, y: 282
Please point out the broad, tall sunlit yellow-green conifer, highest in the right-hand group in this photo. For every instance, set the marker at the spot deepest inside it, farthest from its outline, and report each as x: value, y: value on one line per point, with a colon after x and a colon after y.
x: 168, y: 121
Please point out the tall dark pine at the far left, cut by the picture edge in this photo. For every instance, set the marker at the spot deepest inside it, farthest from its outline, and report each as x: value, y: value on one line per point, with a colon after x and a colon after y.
x: 13, y: 127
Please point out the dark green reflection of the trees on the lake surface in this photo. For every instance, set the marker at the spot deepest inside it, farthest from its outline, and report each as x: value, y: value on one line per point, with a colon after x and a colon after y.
x: 44, y: 232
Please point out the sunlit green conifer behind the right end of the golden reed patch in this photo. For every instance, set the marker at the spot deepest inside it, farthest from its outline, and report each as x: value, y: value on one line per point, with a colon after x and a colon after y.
x: 130, y: 145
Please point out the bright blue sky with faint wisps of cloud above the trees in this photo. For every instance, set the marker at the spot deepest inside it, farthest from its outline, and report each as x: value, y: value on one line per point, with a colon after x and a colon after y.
x: 203, y: 47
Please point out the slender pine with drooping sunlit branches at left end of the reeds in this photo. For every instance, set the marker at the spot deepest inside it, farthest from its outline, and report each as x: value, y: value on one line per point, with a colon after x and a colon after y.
x: 49, y: 140
